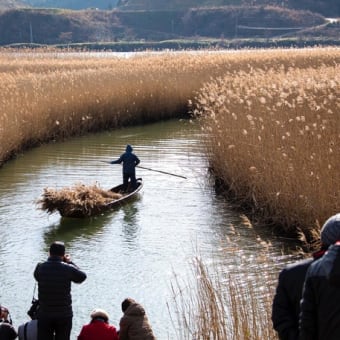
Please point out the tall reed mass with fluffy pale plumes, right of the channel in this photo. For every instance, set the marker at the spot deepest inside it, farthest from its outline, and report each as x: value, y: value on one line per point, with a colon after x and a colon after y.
x: 273, y: 139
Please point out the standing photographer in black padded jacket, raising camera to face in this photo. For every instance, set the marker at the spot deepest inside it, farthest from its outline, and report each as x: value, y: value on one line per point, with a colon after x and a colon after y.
x: 54, y: 279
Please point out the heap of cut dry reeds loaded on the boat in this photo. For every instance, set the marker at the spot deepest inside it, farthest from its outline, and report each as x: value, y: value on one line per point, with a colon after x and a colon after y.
x: 78, y: 197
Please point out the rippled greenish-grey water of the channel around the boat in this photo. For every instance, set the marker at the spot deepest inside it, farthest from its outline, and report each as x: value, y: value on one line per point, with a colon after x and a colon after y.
x: 137, y: 249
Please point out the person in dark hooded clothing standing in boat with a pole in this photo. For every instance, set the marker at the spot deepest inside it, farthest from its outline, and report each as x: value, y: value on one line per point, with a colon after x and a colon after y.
x: 130, y: 161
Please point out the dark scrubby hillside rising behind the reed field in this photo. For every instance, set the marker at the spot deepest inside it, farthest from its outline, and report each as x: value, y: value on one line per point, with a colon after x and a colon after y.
x: 53, y: 26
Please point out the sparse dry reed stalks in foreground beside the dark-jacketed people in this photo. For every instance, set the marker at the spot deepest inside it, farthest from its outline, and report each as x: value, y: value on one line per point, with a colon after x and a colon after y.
x: 222, y: 303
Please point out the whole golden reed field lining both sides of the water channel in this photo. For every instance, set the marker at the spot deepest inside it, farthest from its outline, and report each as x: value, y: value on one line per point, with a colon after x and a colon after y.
x: 270, y: 118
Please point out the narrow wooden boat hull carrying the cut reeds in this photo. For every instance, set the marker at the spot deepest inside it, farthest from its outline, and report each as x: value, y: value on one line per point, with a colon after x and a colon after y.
x: 125, y: 196
